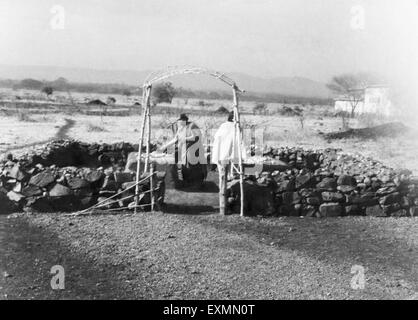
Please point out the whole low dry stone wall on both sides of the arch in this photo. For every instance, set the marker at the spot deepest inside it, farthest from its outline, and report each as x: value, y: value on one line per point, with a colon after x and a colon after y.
x: 68, y: 175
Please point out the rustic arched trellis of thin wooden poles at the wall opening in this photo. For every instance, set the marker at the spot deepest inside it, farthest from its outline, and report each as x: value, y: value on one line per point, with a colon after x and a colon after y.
x: 146, y: 128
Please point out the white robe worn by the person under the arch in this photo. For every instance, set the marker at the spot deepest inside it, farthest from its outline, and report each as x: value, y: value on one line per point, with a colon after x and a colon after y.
x: 224, y: 149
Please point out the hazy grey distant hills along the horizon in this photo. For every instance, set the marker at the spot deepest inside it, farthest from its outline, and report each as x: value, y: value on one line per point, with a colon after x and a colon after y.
x: 289, y: 86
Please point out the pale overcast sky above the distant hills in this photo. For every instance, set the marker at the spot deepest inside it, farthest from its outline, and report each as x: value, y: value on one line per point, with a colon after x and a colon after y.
x: 309, y: 38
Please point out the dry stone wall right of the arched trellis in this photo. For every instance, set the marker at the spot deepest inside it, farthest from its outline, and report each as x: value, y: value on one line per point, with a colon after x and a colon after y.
x: 327, y: 183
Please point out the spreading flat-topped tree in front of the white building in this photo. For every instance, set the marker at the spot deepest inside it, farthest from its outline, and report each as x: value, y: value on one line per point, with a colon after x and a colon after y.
x: 351, y: 86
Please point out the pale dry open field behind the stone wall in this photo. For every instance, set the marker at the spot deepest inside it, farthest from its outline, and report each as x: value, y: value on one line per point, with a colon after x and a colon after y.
x: 276, y: 130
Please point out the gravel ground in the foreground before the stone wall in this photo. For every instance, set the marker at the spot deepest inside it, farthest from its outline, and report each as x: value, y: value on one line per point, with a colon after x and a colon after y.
x: 207, y: 256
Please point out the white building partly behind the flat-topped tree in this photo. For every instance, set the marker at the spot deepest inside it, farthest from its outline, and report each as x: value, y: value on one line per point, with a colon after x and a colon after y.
x: 375, y: 99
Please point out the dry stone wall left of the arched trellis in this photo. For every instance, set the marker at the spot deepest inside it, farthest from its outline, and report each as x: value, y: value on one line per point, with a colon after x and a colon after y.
x: 68, y: 176
